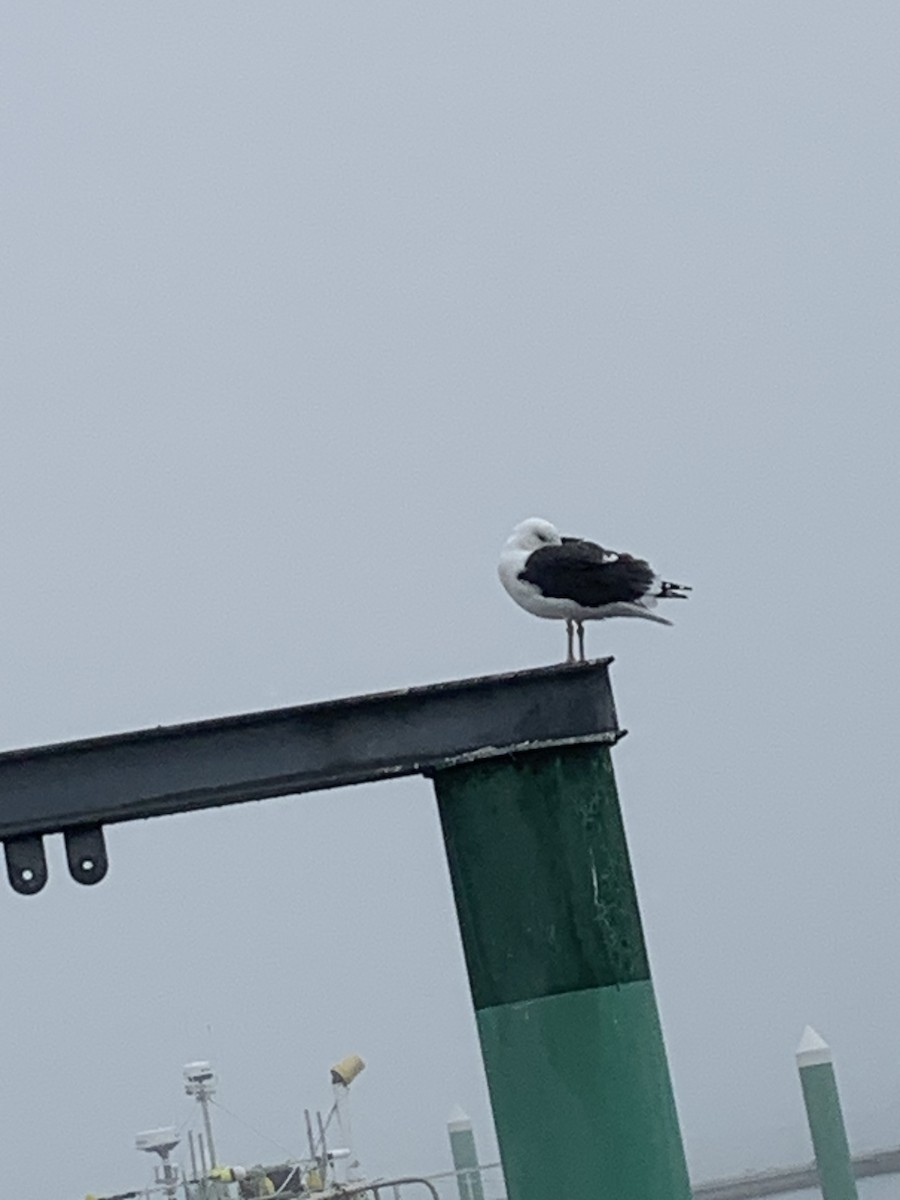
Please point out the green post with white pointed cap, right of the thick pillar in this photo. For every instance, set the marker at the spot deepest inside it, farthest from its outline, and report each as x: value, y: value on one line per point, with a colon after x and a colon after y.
x: 826, y: 1120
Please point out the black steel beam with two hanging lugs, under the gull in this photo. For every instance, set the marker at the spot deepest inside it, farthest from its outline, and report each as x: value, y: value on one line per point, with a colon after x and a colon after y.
x: 76, y: 788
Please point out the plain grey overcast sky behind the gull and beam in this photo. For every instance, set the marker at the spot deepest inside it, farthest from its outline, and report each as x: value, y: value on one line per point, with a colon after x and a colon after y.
x: 305, y: 305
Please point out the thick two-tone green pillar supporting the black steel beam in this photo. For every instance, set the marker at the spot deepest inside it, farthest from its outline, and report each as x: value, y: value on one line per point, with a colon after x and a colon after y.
x: 567, y: 1016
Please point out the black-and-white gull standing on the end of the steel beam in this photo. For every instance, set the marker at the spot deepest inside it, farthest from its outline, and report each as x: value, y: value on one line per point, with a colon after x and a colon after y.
x: 573, y: 580
